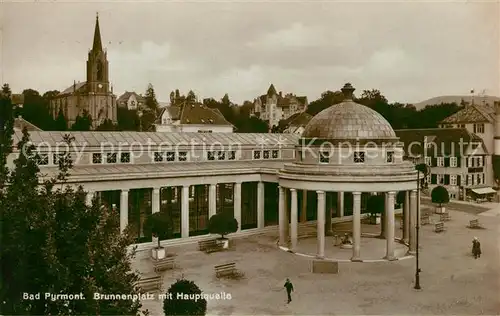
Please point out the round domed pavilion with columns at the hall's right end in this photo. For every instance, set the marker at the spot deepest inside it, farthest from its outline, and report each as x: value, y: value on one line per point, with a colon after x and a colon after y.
x: 348, y: 148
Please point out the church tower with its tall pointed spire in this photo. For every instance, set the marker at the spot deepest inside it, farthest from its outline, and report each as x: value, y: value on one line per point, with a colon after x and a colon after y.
x: 97, y: 65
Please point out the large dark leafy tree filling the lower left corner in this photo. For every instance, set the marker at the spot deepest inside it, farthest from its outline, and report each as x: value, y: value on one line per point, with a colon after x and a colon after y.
x: 52, y: 242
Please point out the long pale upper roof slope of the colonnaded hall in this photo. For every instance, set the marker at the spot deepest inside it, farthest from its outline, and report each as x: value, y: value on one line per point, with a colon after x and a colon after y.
x: 98, y: 138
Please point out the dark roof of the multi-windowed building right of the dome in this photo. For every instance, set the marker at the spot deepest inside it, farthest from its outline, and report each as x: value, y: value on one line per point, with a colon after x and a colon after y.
x: 447, y: 140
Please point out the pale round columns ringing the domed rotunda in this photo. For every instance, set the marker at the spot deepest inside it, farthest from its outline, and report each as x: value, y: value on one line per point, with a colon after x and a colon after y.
x: 324, y: 215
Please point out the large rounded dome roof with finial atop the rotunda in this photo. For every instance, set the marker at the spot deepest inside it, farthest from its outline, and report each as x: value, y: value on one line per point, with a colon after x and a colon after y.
x: 349, y: 120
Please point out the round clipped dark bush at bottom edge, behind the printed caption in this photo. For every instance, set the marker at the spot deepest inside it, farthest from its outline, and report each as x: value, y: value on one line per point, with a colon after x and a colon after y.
x: 187, y: 304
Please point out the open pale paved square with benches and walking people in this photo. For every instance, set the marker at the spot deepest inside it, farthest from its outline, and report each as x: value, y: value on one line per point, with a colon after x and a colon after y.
x: 452, y: 281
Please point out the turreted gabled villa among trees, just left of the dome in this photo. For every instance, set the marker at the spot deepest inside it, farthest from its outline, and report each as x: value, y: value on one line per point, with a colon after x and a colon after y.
x: 273, y: 107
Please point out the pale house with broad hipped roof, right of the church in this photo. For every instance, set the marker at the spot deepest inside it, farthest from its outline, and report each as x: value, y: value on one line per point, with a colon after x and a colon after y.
x: 192, y: 118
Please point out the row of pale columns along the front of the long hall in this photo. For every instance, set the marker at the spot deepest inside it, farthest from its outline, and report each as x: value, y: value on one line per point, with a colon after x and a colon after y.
x: 212, y: 206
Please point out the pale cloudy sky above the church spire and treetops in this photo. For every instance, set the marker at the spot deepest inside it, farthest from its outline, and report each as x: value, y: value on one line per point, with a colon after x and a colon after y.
x: 409, y: 50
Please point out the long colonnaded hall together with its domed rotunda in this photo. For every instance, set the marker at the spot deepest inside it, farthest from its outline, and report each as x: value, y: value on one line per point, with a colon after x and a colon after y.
x: 346, y: 153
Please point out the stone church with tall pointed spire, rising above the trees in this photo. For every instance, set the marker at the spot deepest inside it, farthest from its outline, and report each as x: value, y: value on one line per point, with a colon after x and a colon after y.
x: 94, y: 95
